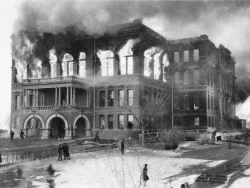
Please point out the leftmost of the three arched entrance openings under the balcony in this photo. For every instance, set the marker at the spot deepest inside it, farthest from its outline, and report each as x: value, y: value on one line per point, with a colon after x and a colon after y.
x: 33, y: 128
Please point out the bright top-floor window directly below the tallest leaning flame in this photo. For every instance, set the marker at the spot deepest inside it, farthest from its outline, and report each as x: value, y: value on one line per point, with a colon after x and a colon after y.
x: 126, y: 65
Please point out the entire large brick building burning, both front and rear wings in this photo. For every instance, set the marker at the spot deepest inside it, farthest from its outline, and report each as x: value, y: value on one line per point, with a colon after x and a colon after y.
x: 69, y: 86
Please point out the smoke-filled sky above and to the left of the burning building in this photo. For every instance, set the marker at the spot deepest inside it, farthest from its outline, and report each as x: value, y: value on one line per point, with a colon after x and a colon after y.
x: 225, y: 22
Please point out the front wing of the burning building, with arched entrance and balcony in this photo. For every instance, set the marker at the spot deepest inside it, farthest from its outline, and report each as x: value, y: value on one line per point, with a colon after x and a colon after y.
x: 69, y: 85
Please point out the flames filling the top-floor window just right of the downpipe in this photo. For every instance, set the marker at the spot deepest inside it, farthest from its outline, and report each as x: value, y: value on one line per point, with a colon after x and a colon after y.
x: 106, y: 59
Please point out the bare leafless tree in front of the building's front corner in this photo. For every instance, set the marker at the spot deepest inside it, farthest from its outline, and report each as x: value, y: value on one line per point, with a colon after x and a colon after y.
x: 154, y: 106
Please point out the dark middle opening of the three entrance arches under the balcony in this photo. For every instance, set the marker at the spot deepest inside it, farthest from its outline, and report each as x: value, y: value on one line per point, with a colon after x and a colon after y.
x: 57, y: 128
